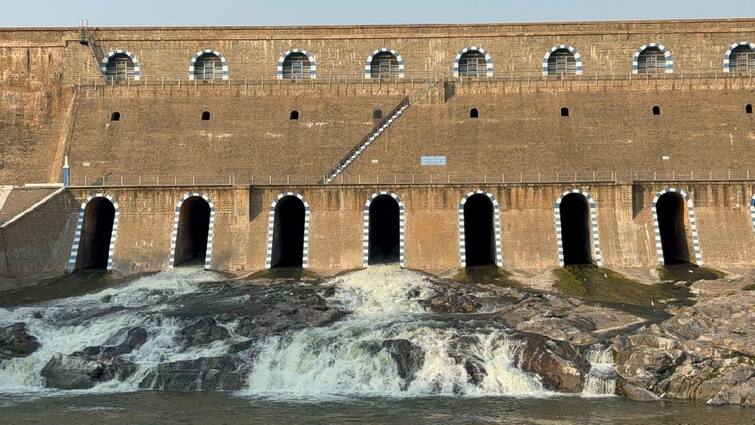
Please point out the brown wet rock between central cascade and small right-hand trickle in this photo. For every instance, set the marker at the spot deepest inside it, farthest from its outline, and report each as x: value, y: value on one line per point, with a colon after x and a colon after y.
x: 560, y: 365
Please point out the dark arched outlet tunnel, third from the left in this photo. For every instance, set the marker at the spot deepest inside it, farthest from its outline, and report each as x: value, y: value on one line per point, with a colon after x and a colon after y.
x: 288, y: 233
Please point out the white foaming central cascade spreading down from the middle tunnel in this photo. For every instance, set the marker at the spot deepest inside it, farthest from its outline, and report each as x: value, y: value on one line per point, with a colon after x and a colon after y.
x: 347, y: 359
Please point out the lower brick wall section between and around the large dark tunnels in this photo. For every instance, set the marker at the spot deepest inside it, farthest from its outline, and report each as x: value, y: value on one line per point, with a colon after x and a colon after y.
x: 625, y: 220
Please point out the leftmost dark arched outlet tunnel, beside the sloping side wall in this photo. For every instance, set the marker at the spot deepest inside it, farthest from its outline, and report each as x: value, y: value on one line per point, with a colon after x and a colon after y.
x: 96, y: 231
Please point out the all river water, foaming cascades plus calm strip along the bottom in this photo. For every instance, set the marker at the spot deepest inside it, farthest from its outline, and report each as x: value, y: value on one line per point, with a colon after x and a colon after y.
x: 330, y: 375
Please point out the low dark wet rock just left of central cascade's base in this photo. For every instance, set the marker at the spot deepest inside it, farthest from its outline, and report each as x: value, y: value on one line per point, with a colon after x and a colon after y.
x: 226, y: 373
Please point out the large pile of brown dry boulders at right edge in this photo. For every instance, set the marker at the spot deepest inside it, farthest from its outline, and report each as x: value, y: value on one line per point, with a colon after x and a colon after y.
x: 704, y: 352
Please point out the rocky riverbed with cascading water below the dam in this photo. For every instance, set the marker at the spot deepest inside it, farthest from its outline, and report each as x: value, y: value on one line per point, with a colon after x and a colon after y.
x: 390, y: 332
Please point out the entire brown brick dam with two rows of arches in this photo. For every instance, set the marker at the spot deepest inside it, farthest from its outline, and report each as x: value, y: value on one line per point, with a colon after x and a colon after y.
x: 527, y: 147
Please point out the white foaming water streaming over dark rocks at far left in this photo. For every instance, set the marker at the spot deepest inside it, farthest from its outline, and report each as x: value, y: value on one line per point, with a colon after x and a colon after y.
x: 72, y: 324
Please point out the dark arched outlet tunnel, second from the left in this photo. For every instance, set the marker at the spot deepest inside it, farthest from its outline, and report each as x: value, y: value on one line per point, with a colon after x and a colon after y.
x: 193, y: 231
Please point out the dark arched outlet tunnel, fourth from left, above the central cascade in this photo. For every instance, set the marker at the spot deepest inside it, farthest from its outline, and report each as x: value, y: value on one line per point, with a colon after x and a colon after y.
x: 385, y: 230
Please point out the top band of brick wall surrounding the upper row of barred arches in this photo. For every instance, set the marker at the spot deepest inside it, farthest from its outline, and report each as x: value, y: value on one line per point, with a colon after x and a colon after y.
x: 518, y: 48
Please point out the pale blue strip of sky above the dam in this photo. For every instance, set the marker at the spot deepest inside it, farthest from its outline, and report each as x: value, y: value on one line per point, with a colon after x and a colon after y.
x: 32, y: 13
